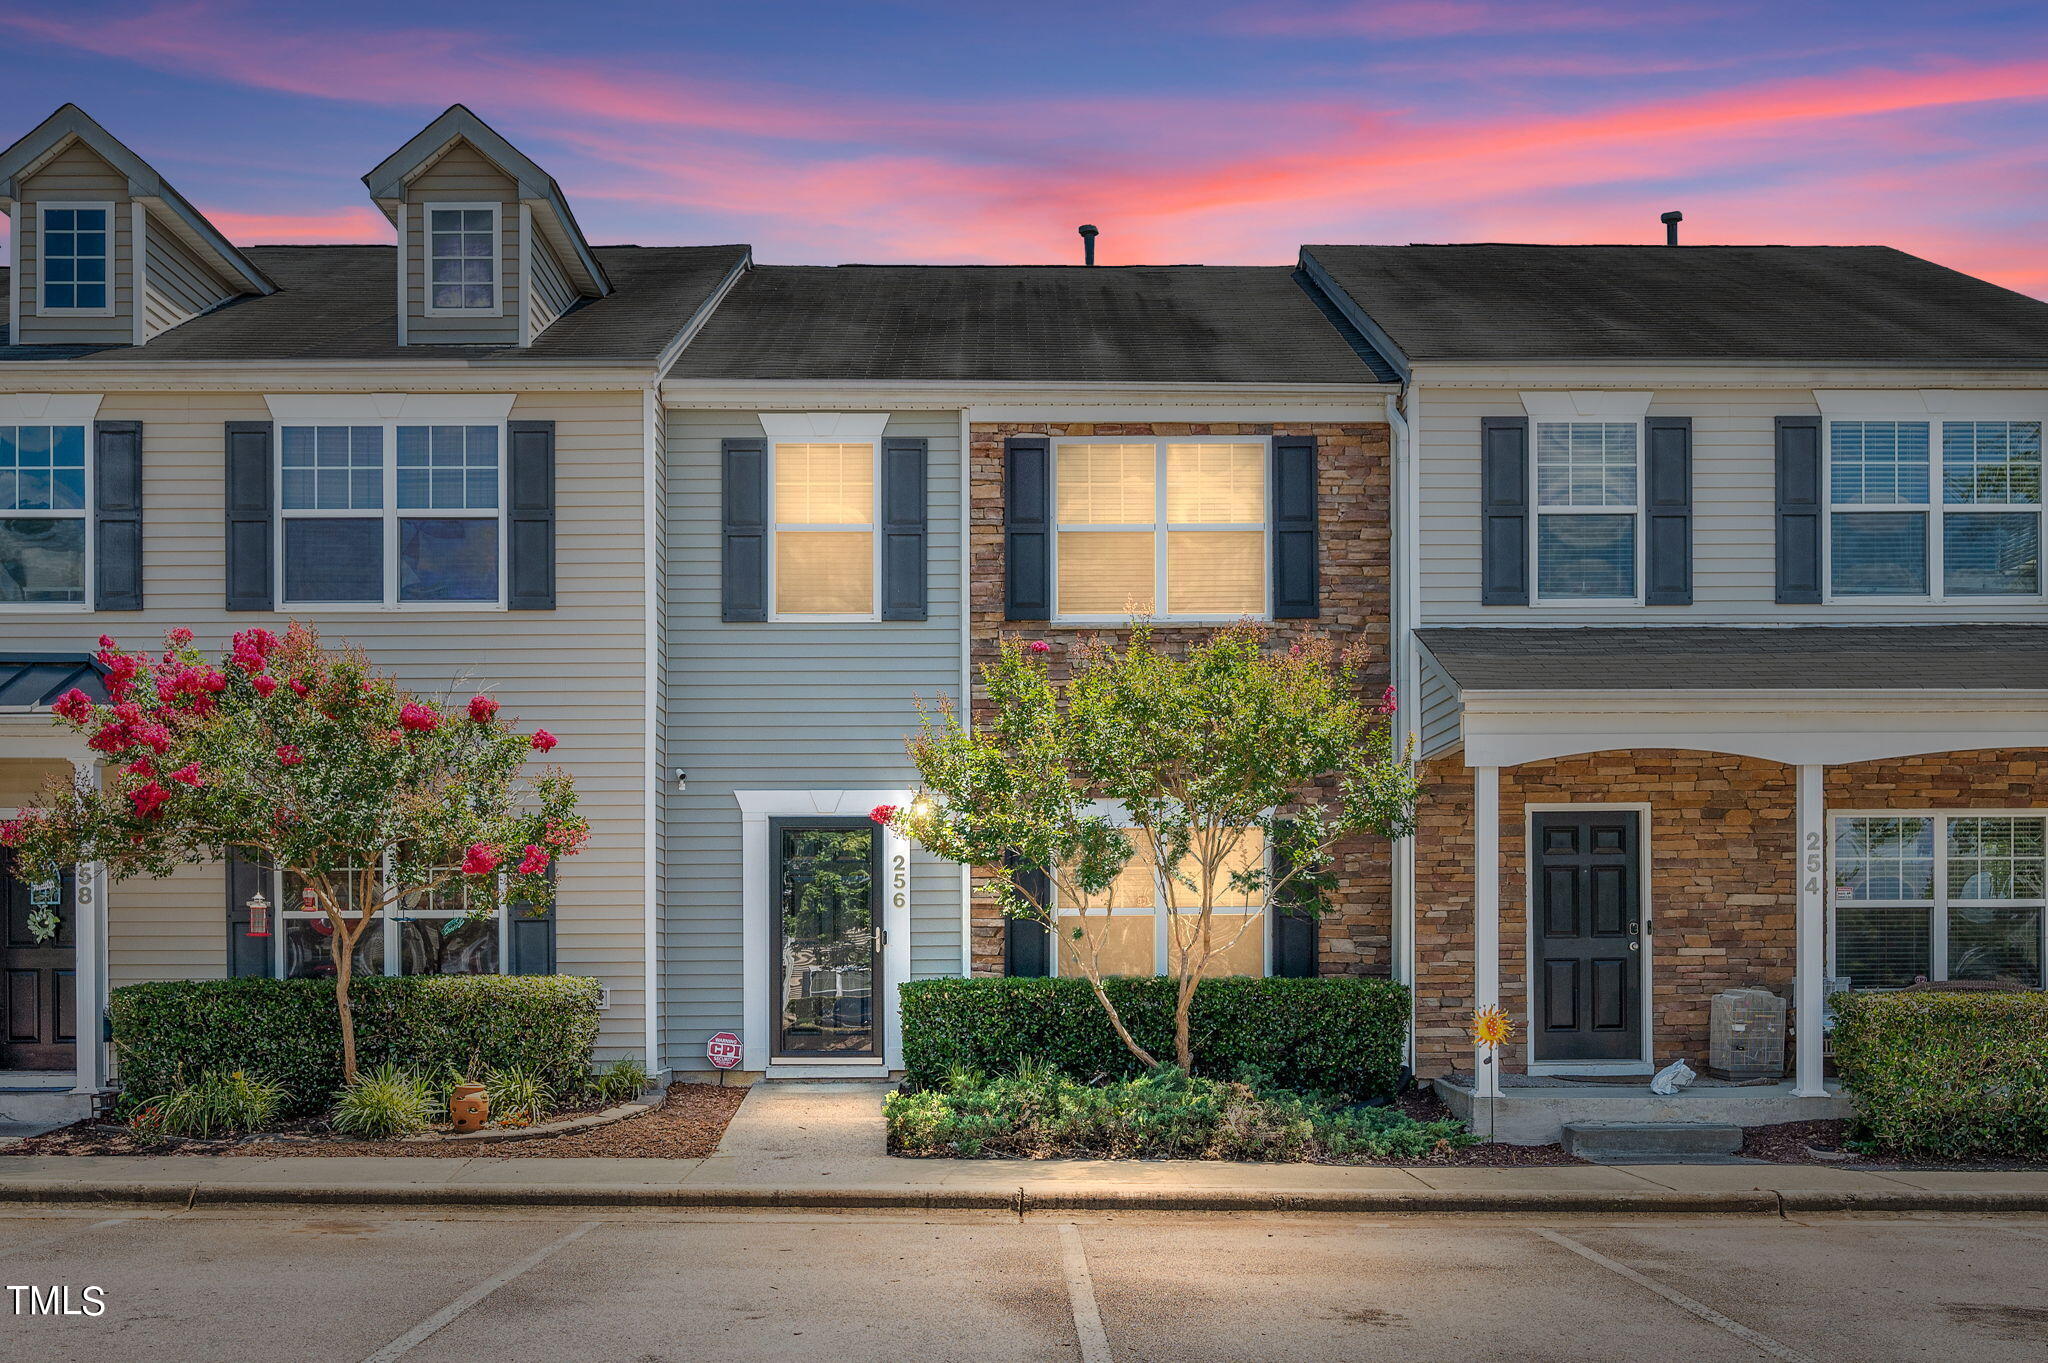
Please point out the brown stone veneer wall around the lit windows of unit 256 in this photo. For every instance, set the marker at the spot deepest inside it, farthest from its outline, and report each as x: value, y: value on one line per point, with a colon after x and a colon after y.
x: 1357, y: 545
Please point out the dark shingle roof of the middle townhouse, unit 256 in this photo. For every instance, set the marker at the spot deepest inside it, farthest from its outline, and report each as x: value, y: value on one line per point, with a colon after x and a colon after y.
x: 1052, y: 324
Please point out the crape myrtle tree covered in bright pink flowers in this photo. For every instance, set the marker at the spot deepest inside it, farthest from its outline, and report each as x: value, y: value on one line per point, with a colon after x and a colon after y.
x: 314, y: 762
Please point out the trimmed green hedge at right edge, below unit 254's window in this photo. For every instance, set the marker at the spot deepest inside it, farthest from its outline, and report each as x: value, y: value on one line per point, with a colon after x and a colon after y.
x: 1947, y: 1073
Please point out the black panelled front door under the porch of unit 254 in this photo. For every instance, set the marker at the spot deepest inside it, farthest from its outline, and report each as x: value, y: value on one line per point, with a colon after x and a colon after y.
x: 1588, y: 877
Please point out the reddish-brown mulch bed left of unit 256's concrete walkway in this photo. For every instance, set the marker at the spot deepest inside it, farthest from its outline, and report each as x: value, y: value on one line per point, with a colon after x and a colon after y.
x: 685, y: 1129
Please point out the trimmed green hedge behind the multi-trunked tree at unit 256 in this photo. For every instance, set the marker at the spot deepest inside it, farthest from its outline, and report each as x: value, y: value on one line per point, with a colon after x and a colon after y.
x: 1318, y: 1037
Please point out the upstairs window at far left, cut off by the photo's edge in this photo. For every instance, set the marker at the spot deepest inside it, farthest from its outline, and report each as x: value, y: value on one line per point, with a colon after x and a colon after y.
x: 44, y: 535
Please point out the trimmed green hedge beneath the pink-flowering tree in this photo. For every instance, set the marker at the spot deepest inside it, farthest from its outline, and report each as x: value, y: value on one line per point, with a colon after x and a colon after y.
x: 290, y: 1030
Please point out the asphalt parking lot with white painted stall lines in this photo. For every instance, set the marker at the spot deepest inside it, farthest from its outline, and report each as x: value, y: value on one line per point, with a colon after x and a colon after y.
x: 511, y: 1286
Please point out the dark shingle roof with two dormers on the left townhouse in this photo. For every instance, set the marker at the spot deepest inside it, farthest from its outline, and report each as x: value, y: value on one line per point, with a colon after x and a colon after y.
x: 339, y: 304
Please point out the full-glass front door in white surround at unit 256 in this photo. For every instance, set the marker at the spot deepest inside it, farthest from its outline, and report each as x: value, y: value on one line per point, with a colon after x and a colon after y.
x: 826, y: 938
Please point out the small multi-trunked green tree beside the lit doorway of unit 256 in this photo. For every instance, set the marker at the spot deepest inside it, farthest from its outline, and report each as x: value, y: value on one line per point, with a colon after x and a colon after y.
x: 1207, y: 758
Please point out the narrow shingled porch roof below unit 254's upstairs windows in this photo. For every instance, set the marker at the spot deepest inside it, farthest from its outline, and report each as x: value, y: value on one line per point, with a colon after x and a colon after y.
x: 1738, y: 658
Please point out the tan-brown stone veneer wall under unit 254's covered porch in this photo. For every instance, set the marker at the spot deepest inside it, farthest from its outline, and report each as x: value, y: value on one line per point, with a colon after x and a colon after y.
x: 1721, y: 846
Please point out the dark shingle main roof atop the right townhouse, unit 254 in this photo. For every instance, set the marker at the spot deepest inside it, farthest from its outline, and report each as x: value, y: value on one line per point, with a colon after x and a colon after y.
x: 1682, y: 304
